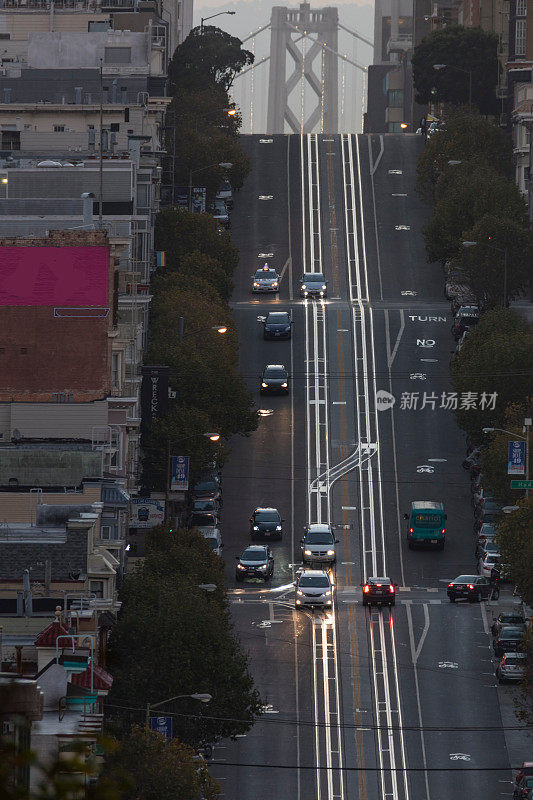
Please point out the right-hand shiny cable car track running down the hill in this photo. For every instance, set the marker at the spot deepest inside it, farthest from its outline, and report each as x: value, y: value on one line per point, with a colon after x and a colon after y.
x: 388, y: 713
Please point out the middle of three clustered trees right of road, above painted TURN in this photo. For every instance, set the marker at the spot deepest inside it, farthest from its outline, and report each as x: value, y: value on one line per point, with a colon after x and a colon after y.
x: 464, y: 194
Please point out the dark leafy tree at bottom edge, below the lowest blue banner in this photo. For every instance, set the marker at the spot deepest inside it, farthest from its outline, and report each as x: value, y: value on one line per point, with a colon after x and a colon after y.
x: 147, y: 766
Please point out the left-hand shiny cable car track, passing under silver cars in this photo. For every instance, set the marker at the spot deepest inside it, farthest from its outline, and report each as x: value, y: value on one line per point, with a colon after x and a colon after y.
x: 326, y: 700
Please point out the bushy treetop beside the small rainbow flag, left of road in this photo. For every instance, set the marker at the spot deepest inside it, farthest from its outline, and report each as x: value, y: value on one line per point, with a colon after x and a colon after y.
x: 182, y: 232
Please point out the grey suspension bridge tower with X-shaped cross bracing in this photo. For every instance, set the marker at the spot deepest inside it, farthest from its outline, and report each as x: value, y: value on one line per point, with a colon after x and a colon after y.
x: 292, y: 31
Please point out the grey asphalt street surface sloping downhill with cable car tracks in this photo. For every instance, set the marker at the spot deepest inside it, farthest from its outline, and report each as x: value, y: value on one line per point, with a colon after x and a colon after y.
x: 397, y: 703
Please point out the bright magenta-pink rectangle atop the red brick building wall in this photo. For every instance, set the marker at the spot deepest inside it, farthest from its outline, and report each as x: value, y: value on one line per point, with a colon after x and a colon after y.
x: 54, y: 276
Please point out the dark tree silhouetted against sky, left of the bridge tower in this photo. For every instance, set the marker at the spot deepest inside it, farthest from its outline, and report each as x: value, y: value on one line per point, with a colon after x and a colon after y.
x: 208, y: 57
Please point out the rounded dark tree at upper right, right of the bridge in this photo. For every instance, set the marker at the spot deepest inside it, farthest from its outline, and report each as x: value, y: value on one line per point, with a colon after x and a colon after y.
x: 462, y: 50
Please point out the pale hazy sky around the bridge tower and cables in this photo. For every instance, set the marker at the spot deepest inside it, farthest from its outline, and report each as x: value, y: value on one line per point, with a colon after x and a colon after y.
x: 252, y: 97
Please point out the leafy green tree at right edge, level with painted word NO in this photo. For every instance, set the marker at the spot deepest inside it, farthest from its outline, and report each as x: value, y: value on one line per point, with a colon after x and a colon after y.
x: 497, y: 356
